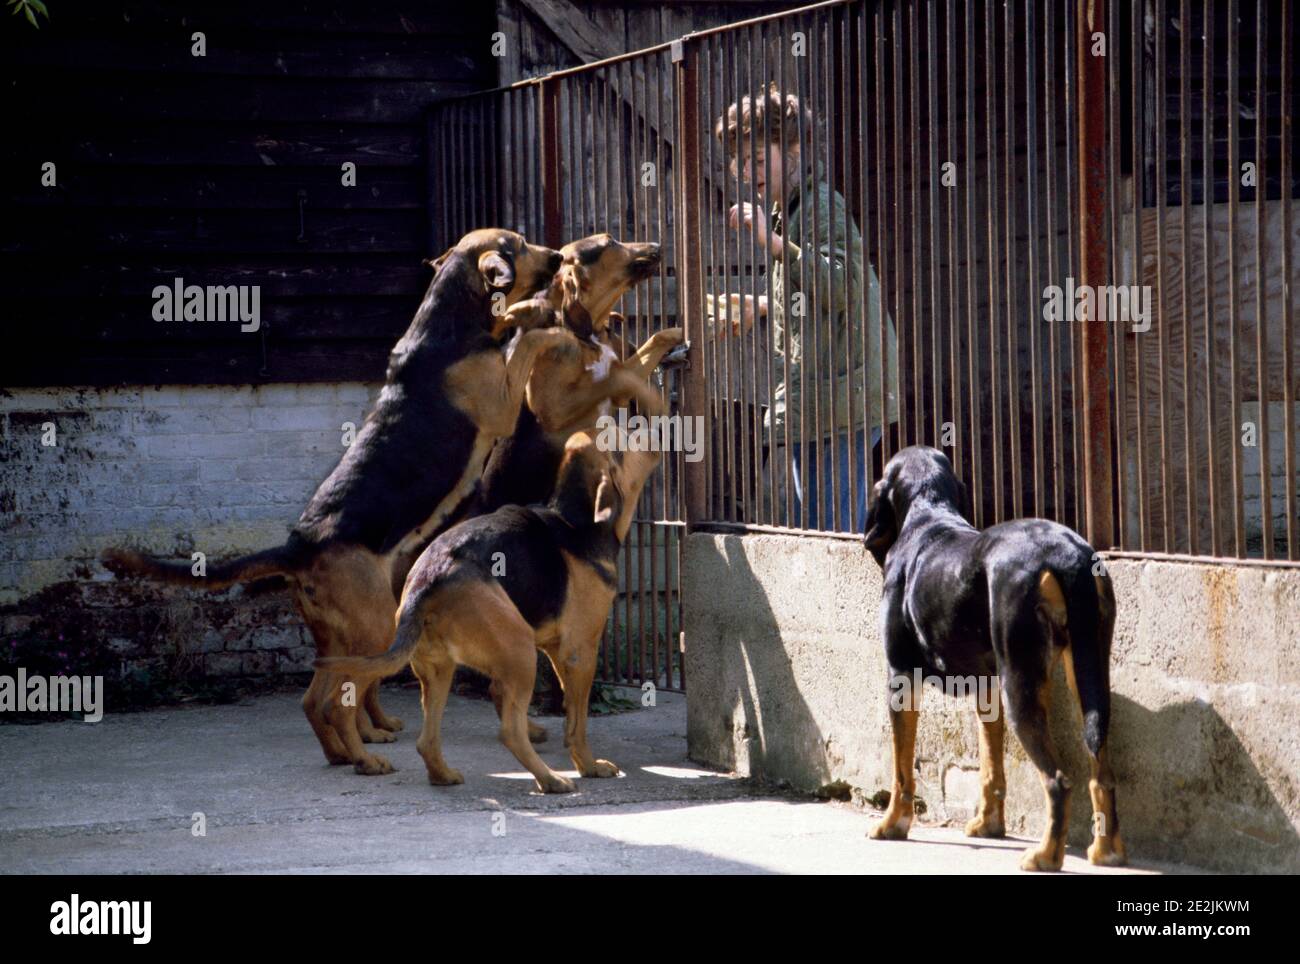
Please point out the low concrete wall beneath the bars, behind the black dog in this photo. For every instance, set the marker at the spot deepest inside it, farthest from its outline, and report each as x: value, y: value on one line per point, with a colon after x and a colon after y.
x: 787, y: 683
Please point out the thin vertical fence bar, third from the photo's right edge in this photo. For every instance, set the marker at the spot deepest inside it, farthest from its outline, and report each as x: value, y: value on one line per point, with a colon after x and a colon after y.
x: 1234, y: 311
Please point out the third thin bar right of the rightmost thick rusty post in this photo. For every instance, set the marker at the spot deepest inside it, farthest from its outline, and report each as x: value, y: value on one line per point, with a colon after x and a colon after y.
x: 1185, y: 201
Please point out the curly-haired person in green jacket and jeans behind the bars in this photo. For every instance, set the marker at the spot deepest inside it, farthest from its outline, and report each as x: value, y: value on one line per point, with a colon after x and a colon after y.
x: 816, y: 268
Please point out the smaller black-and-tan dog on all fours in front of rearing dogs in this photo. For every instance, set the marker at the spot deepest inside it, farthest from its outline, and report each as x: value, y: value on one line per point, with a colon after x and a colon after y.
x: 493, y: 590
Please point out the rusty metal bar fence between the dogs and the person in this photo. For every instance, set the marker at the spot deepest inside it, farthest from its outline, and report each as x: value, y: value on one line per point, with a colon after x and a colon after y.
x: 1054, y: 241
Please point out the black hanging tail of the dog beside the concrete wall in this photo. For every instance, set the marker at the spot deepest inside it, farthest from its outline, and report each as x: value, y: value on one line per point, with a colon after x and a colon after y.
x: 1091, y: 618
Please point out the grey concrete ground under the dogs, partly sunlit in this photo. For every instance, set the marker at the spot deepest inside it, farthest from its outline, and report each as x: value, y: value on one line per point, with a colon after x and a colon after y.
x: 120, y: 797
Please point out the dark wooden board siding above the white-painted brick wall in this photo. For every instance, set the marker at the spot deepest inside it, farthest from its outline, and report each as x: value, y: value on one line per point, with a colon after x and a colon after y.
x: 172, y: 166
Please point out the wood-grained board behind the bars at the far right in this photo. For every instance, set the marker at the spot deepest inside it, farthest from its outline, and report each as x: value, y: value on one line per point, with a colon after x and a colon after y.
x: 1214, y: 359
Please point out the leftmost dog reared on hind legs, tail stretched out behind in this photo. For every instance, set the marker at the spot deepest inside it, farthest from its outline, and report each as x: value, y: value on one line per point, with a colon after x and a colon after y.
x: 449, y: 397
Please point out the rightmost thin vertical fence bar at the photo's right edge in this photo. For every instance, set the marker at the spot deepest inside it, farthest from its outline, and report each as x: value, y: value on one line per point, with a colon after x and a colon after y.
x: 1289, y: 371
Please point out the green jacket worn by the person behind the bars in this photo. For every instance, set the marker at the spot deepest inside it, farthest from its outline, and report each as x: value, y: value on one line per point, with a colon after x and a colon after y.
x: 824, y: 253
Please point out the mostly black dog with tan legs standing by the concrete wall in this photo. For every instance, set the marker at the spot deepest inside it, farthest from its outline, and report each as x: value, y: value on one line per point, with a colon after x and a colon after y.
x: 1007, y: 603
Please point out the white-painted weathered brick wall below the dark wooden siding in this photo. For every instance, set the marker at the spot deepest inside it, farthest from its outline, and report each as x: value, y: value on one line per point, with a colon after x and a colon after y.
x: 172, y: 470
